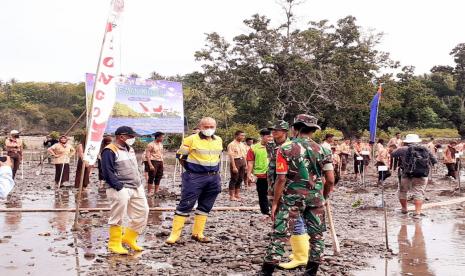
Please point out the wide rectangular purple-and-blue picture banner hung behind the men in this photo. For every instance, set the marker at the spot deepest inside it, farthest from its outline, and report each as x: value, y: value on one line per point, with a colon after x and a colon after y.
x: 145, y: 105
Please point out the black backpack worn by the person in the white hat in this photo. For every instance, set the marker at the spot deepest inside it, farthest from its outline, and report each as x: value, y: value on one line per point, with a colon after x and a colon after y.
x: 417, y: 162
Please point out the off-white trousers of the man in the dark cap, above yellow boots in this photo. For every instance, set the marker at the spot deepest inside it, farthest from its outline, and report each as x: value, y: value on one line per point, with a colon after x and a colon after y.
x: 130, y: 202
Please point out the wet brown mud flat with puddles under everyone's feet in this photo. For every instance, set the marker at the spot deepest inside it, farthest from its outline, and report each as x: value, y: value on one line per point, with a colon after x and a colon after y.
x: 43, y: 243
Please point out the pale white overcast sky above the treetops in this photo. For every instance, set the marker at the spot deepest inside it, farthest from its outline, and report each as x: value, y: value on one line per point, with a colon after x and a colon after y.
x: 59, y: 40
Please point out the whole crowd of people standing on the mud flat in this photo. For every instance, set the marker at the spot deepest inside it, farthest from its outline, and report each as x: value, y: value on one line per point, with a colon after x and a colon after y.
x: 293, y: 176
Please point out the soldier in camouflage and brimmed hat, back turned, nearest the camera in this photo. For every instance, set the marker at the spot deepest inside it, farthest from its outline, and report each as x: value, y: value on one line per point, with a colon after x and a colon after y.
x: 299, y: 191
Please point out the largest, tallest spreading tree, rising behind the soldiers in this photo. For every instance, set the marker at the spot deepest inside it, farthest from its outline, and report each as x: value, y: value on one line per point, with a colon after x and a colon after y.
x: 277, y: 72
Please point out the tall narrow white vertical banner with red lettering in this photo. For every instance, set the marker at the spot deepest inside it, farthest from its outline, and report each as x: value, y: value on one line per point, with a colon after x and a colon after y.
x: 103, y: 91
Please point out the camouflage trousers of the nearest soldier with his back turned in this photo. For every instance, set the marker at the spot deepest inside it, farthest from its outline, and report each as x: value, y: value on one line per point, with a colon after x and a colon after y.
x: 291, y: 208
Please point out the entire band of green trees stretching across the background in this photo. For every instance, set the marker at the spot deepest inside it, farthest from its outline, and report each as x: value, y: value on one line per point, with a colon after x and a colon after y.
x: 275, y: 71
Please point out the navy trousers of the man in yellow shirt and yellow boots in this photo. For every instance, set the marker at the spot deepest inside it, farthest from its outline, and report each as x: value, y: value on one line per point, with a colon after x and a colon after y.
x: 198, y: 188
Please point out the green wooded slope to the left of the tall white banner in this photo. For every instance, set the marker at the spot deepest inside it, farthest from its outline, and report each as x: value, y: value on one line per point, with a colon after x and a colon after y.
x: 33, y: 107
